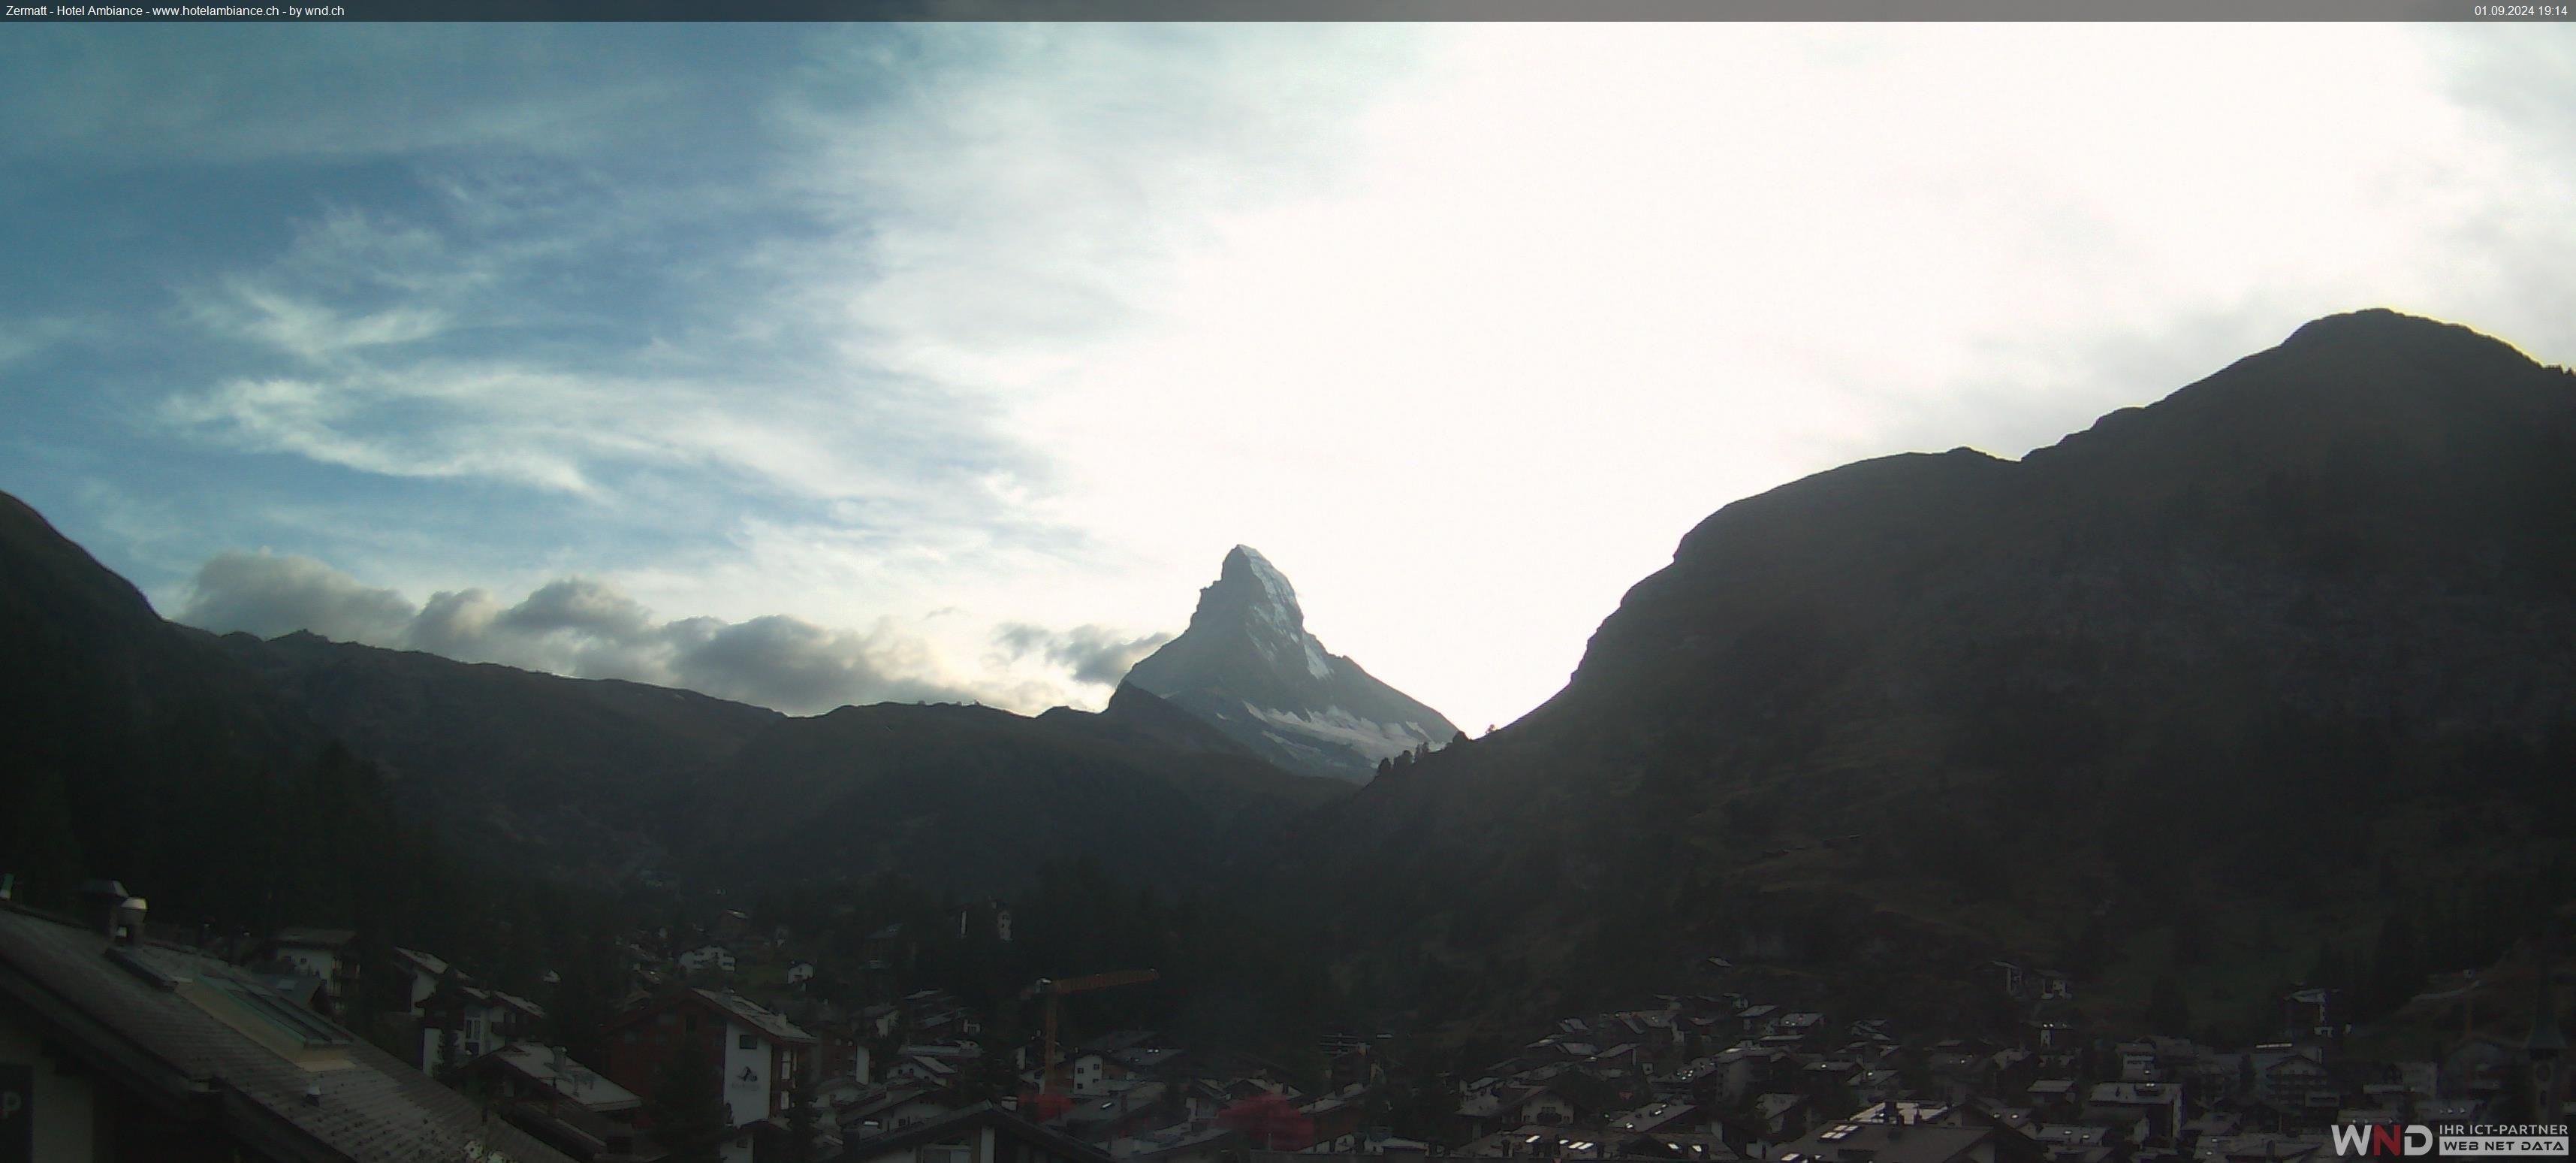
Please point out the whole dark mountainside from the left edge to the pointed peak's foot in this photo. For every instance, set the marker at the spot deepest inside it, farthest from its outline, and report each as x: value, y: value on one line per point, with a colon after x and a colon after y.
x: 148, y: 752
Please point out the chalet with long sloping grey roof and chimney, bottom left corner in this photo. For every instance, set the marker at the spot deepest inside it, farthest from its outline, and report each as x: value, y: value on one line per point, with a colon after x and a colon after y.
x: 130, y: 1051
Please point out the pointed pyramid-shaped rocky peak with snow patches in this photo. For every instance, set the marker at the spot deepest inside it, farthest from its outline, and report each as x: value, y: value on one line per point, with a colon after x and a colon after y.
x: 1251, y: 669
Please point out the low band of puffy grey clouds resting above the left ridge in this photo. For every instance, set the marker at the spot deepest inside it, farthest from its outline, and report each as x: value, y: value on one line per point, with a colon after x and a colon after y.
x: 589, y: 630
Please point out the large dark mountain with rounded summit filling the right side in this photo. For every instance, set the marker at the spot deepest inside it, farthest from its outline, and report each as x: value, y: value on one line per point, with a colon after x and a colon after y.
x: 2276, y: 659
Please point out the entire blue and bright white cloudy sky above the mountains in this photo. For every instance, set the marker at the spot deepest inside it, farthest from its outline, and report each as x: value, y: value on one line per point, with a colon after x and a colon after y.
x: 820, y: 365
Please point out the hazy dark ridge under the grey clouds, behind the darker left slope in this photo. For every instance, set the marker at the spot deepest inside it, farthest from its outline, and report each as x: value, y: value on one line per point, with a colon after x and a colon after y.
x: 612, y: 780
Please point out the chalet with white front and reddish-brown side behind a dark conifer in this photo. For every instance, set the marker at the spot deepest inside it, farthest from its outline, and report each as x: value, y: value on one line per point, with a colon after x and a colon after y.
x: 759, y: 1053
